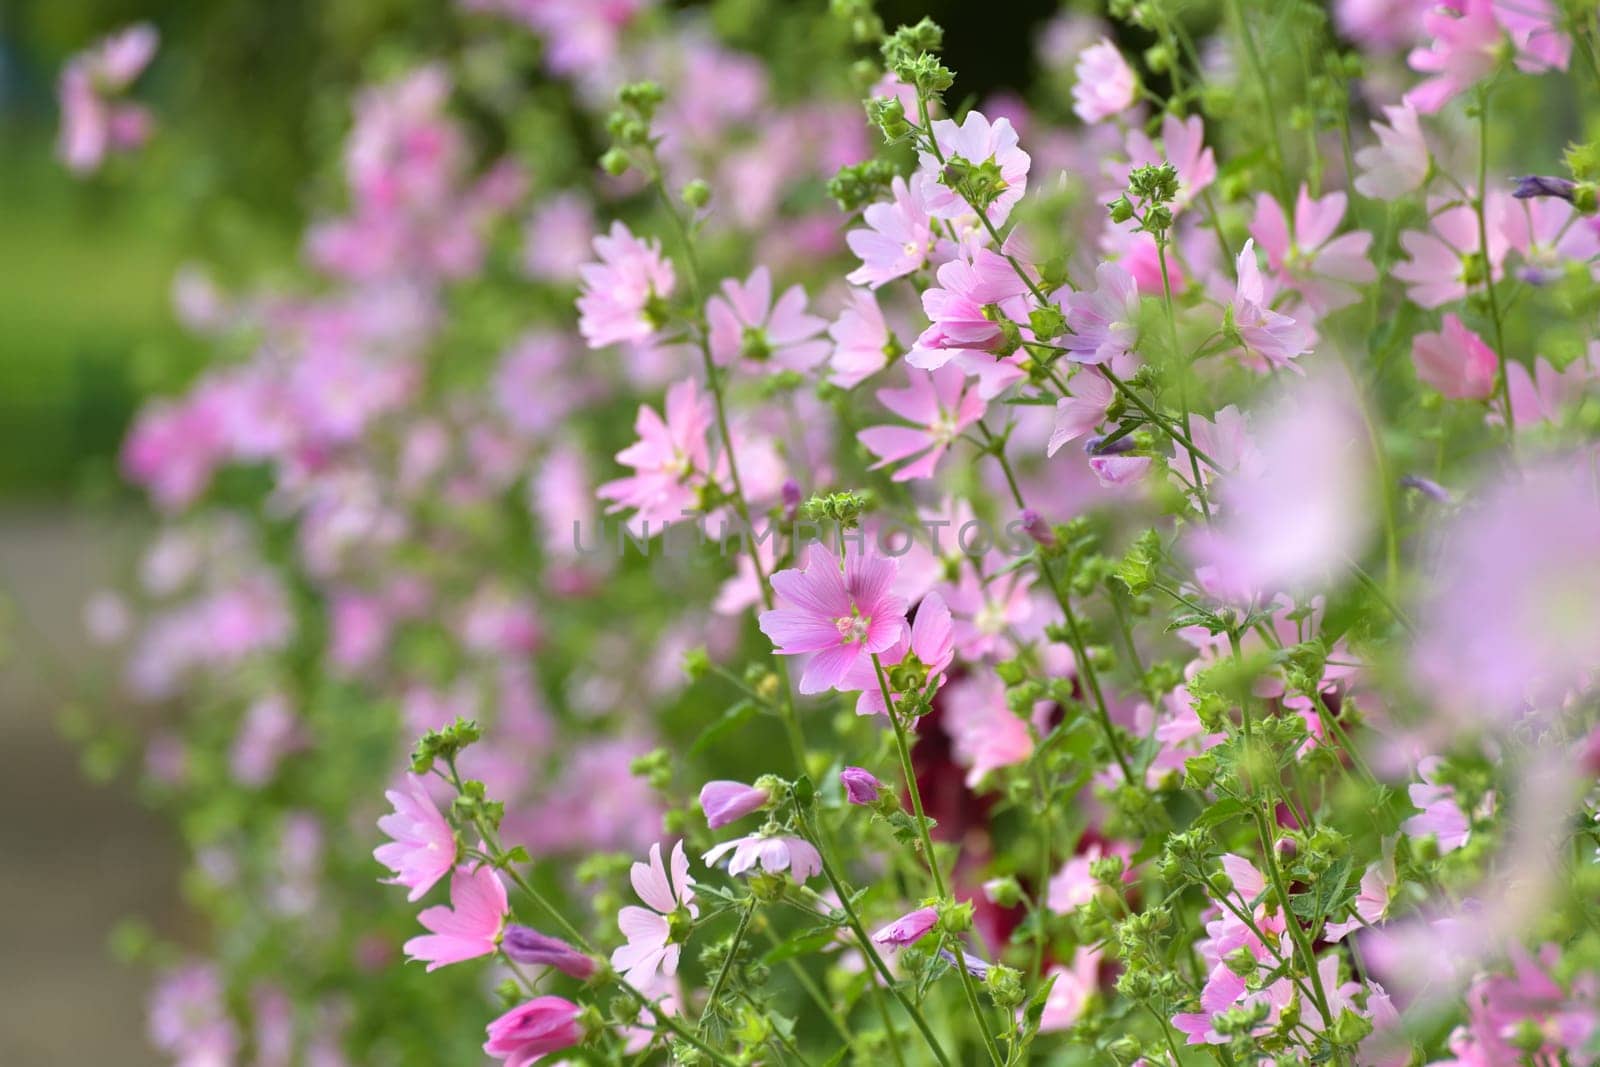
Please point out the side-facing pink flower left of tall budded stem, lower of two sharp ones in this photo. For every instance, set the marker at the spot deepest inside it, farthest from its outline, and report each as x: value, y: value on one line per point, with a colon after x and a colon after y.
x: 671, y: 460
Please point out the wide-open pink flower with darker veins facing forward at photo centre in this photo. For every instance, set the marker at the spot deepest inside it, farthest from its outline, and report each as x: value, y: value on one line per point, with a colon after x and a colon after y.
x: 839, y: 617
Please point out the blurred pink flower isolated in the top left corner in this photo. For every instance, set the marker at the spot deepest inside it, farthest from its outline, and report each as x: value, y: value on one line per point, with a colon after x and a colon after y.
x: 95, y: 122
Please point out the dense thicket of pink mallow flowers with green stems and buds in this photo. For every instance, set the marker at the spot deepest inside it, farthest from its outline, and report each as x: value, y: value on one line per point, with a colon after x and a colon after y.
x: 1102, y: 580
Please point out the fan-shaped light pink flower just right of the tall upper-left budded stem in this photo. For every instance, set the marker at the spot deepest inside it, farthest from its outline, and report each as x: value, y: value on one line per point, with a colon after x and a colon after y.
x: 746, y: 326
